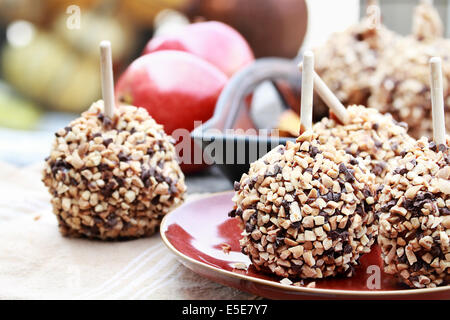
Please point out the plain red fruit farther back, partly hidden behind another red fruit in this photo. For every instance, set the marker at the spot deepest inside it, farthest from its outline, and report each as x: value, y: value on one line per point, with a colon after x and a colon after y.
x: 212, y: 41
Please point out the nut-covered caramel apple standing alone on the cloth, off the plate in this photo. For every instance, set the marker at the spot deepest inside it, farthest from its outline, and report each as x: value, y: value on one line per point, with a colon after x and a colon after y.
x: 113, y: 178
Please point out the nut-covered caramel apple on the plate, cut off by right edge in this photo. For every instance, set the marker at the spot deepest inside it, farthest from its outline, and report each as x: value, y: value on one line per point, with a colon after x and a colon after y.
x: 415, y: 217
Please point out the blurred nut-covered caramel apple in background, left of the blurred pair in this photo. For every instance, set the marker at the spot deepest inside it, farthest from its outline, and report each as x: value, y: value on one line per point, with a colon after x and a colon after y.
x: 349, y: 59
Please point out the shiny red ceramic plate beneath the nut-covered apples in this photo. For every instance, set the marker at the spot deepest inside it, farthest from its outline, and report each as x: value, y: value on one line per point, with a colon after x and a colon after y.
x: 197, y: 230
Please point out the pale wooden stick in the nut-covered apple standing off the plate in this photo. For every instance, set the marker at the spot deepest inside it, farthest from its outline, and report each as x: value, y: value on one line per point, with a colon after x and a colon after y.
x: 107, y: 78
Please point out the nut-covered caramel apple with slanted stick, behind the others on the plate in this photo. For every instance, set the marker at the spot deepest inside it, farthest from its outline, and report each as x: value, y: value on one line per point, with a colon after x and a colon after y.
x: 378, y: 139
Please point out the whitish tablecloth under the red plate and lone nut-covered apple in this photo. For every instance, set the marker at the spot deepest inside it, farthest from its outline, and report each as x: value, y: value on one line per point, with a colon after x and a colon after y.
x: 36, y: 262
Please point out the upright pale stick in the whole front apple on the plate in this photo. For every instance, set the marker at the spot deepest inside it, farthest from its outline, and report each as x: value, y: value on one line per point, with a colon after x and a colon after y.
x: 306, y: 107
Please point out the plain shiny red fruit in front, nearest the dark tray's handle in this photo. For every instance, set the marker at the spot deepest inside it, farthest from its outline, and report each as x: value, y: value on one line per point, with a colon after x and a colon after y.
x: 177, y: 88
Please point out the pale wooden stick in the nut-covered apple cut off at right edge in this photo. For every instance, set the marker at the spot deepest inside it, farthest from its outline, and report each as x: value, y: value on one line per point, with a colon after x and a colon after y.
x: 437, y: 101
